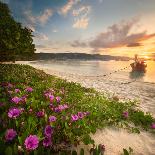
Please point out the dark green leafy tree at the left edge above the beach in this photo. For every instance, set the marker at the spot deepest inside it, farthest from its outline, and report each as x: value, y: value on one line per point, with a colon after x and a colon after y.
x: 16, y: 42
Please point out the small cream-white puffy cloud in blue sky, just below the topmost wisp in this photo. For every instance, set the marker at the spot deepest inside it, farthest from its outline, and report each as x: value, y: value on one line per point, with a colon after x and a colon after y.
x: 81, y: 19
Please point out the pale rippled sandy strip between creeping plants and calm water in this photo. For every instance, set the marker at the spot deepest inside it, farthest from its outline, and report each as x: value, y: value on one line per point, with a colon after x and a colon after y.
x: 143, y: 92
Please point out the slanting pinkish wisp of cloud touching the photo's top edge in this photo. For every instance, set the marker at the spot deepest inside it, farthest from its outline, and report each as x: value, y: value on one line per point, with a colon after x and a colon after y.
x: 68, y: 6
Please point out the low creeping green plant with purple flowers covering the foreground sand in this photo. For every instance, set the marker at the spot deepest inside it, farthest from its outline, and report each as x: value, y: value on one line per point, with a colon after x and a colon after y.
x: 43, y: 114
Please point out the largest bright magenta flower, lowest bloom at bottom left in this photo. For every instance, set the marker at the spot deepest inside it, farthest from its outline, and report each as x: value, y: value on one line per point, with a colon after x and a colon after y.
x: 31, y: 142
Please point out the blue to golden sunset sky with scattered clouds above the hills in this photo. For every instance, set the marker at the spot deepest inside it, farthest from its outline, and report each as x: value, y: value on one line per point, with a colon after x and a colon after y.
x: 112, y: 27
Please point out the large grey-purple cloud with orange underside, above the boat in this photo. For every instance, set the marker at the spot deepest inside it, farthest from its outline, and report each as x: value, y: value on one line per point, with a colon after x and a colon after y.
x: 119, y: 35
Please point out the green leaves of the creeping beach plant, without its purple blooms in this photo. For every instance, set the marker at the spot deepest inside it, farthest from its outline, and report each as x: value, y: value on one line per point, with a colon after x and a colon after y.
x: 102, y: 111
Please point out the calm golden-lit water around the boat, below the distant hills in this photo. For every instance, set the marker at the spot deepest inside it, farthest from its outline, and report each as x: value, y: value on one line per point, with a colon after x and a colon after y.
x: 97, y: 68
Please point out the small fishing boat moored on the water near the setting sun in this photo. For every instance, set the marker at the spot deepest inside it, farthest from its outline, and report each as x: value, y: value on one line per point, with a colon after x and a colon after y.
x: 138, y: 65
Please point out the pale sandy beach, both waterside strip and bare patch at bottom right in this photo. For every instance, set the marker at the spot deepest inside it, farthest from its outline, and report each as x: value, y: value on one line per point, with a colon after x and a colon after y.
x: 128, y: 89
